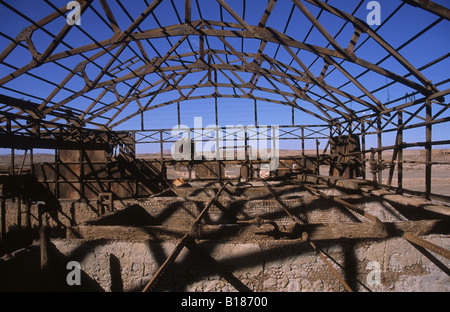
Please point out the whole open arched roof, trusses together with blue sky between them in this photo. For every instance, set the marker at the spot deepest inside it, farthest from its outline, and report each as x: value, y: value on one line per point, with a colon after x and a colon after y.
x: 120, y: 62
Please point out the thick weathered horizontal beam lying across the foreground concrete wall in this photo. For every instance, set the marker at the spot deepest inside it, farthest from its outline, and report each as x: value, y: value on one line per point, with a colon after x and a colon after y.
x: 245, y: 233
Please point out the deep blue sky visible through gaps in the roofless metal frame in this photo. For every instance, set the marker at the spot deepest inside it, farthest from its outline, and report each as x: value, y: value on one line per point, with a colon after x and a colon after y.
x: 407, y: 22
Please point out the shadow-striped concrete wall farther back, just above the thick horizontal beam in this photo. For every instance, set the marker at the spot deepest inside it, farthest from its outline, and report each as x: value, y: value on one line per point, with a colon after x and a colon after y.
x: 235, y: 203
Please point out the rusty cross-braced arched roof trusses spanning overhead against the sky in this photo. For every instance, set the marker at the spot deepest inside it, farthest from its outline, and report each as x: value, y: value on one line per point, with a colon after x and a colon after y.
x: 127, y: 68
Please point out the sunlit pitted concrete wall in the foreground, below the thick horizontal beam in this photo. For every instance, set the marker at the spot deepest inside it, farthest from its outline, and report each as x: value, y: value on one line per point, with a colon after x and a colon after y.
x: 268, y: 267
